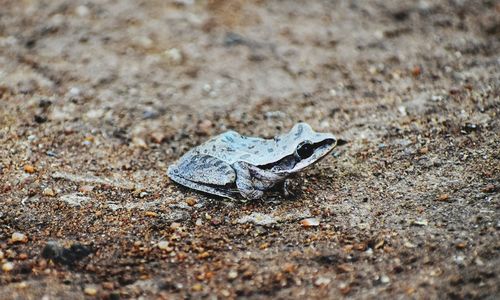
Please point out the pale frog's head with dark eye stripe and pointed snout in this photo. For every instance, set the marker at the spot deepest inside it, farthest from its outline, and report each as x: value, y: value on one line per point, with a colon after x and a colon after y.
x: 304, y: 148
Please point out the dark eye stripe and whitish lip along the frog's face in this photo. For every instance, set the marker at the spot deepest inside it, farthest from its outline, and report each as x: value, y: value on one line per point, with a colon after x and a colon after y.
x: 306, y: 154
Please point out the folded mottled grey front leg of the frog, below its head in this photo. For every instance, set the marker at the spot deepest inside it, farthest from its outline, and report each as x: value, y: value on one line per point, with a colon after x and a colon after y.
x: 252, y: 181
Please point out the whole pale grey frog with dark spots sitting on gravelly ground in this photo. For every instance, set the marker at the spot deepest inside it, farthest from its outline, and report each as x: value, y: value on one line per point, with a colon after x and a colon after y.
x: 231, y: 164
